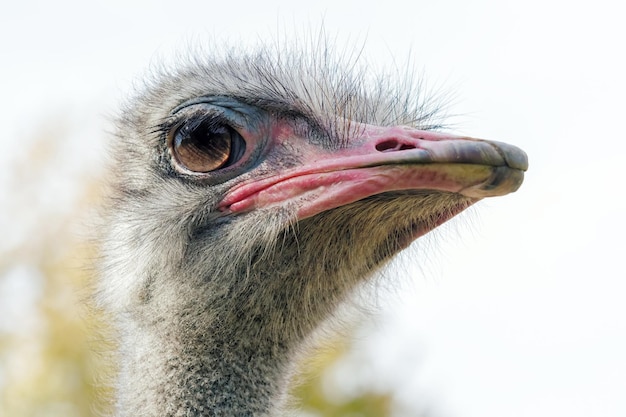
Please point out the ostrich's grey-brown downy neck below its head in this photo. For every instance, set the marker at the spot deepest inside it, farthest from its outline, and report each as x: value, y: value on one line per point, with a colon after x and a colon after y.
x: 203, y: 348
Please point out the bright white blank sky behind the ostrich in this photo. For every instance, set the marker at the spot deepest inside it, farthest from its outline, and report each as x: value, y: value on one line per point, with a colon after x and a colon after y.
x: 519, y: 311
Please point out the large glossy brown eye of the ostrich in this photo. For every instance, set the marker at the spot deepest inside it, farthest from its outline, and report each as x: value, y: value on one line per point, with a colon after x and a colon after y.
x: 206, y: 145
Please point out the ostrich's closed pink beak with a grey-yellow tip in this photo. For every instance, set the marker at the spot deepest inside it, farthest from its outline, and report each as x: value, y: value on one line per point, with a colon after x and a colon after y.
x: 379, y: 160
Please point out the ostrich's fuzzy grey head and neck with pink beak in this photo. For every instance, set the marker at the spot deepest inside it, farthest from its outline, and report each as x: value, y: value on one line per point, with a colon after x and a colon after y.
x: 252, y: 193
